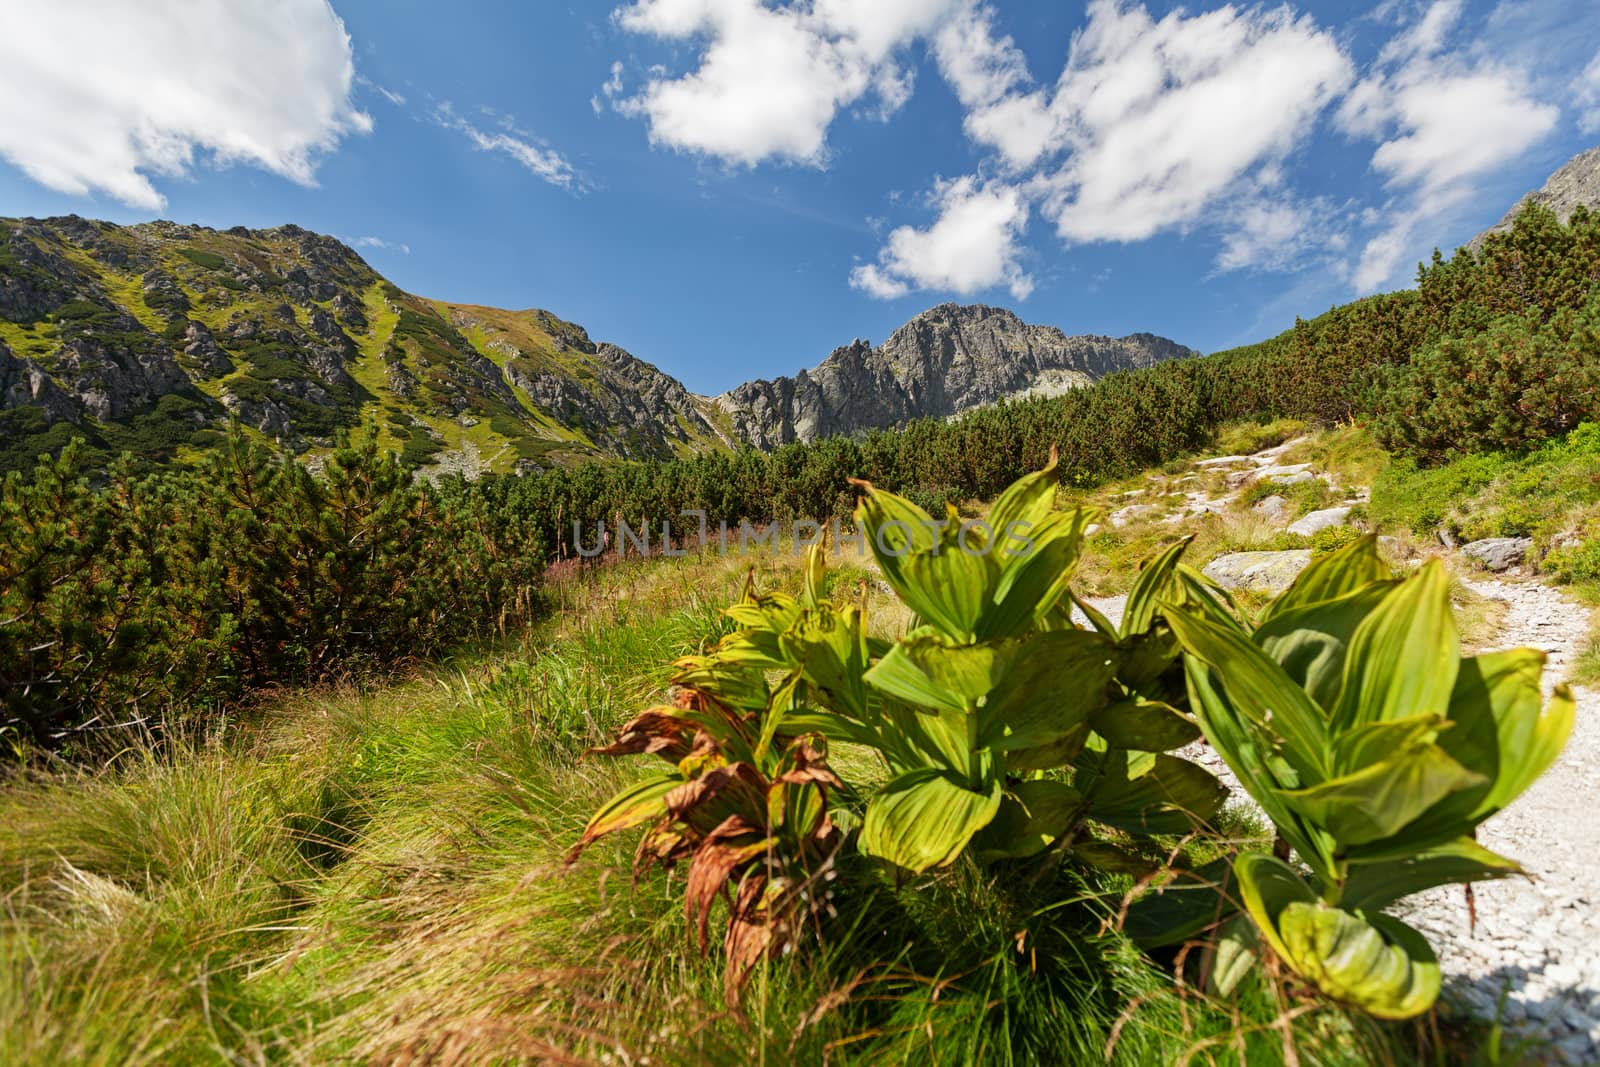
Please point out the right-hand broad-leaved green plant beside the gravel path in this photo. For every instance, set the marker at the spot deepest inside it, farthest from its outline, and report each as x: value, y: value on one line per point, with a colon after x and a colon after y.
x: 1377, y: 749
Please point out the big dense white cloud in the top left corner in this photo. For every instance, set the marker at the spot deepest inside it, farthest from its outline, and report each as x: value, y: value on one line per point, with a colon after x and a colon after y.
x: 106, y: 95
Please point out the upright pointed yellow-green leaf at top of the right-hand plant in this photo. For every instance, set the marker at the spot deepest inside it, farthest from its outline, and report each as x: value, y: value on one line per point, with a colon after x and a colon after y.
x: 1404, y: 657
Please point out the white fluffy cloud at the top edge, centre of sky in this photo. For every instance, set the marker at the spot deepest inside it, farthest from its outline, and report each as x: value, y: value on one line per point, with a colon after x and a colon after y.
x: 772, y: 79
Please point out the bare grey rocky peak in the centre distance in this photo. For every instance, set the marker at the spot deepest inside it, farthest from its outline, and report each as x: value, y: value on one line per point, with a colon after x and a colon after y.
x: 943, y: 362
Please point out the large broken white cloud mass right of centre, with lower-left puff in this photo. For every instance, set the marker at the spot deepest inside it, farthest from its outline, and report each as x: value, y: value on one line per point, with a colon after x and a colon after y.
x: 1151, y: 126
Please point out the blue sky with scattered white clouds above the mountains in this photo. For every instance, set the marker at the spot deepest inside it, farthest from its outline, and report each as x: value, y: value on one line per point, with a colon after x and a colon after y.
x: 734, y: 188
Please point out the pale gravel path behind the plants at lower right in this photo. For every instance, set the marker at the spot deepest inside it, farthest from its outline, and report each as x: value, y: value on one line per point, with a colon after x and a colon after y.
x: 1537, y: 940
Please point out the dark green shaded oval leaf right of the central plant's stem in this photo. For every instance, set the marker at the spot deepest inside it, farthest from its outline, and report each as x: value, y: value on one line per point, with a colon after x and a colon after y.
x: 1054, y: 682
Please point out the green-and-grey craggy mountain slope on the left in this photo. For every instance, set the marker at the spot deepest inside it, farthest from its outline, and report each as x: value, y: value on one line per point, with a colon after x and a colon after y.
x: 154, y: 337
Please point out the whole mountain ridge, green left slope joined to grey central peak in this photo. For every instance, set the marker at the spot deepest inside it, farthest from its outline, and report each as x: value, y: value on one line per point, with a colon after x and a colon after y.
x: 154, y: 338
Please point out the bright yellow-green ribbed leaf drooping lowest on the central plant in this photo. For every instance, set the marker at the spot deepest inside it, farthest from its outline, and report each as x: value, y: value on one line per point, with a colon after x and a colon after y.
x: 924, y: 820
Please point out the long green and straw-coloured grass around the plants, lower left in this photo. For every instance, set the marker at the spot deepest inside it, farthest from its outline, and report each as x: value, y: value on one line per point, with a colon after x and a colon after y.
x: 375, y: 876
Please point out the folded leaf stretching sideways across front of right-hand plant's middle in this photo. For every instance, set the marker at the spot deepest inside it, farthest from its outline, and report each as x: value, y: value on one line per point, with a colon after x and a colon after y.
x: 1383, y: 797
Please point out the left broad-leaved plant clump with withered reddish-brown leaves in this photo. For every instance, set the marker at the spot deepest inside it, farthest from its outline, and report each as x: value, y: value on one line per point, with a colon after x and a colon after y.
x: 1002, y: 730
